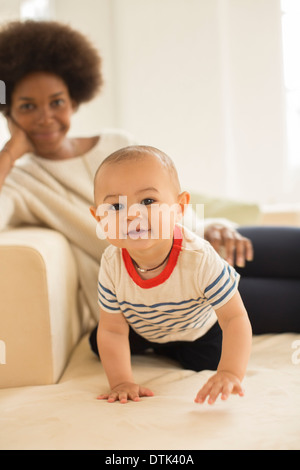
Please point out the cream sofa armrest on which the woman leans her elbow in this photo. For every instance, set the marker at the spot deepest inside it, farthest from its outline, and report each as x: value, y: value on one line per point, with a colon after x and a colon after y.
x: 39, y: 320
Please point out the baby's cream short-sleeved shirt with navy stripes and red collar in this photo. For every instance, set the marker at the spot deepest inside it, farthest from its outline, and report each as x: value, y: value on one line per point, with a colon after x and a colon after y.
x: 177, y: 305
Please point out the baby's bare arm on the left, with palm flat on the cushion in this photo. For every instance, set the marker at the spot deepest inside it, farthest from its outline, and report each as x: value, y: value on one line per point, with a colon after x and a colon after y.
x: 114, y: 350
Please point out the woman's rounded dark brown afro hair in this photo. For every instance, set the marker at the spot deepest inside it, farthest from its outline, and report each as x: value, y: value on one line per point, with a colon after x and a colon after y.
x: 49, y: 46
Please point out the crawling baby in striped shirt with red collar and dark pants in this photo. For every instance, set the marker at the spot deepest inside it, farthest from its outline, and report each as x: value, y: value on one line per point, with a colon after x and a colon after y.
x: 160, y: 286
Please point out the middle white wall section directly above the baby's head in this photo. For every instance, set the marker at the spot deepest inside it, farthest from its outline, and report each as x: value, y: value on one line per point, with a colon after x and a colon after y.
x: 170, y: 85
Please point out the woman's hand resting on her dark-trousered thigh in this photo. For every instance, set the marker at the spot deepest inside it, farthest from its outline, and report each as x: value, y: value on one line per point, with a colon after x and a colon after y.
x: 235, y: 248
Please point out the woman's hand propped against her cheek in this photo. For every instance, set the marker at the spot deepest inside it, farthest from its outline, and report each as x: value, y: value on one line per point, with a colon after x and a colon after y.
x: 19, y: 143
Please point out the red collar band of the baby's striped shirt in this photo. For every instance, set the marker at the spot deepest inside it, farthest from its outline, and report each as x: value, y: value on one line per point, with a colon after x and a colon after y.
x: 165, y: 274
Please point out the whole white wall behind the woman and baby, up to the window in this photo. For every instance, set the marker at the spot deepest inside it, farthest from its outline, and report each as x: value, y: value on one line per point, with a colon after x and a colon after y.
x: 201, y: 79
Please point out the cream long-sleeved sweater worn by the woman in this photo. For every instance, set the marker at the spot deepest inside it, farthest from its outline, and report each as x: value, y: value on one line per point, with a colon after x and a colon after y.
x: 57, y: 195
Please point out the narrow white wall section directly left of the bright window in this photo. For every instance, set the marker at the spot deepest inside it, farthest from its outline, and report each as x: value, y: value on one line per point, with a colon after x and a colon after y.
x: 256, y: 98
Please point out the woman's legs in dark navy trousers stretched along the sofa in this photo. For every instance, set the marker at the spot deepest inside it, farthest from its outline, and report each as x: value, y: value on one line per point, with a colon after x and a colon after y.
x: 270, y: 284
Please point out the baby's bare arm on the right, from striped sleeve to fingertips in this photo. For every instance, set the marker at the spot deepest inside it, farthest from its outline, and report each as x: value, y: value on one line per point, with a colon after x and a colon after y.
x: 236, y: 347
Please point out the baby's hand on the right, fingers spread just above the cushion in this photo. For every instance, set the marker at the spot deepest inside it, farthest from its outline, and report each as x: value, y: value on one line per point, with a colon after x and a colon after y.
x: 223, y: 383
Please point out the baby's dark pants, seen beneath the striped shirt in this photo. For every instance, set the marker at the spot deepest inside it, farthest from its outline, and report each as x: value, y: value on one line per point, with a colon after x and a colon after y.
x: 201, y: 354
